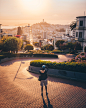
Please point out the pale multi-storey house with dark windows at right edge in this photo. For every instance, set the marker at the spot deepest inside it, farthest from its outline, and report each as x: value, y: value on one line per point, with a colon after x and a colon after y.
x: 81, y: 30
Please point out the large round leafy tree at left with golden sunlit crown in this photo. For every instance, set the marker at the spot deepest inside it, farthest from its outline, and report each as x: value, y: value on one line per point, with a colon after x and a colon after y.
x: 12, y: 44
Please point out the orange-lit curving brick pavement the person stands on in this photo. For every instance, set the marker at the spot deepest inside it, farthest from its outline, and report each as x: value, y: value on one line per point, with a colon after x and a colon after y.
x: 21, y: 89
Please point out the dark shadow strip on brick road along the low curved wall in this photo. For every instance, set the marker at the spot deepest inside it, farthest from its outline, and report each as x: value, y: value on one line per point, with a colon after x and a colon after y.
x: 66, y: 81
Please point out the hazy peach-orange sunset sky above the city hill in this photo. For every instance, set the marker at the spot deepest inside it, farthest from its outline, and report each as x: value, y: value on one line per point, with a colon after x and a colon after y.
x: 14, y: 12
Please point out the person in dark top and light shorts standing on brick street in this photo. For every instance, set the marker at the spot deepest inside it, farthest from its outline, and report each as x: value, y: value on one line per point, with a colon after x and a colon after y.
x: 43, y: 78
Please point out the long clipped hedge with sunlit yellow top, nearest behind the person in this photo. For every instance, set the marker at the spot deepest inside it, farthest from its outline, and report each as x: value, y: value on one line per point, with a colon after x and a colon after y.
x: 69, y: 66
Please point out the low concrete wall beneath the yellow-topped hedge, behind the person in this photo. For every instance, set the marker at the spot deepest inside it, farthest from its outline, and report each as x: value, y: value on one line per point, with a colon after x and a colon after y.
x: 60, y: 73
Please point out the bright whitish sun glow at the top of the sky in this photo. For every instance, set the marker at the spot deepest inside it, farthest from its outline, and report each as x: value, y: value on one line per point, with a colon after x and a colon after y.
x: 33, y: 6
